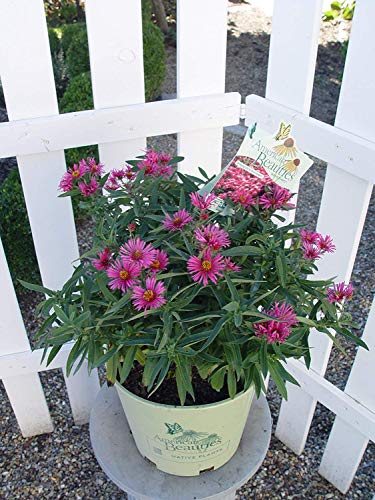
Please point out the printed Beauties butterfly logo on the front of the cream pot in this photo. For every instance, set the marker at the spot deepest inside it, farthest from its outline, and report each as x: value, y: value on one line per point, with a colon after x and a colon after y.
x: 178, y: 444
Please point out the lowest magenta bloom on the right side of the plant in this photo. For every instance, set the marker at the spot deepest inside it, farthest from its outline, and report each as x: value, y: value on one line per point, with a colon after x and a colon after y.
x: 277, y: 331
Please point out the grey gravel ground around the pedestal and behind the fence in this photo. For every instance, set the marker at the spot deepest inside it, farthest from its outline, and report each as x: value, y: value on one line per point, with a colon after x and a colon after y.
x: 62, y: 464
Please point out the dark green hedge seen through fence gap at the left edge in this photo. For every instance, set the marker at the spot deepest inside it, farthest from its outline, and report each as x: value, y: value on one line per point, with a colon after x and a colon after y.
x: 16, y: 233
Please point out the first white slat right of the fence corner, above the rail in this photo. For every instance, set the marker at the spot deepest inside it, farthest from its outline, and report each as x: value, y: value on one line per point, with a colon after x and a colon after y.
x: 293, y: 49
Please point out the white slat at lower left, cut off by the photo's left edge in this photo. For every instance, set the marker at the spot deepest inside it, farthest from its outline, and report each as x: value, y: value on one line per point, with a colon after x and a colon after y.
x: 25, y: 392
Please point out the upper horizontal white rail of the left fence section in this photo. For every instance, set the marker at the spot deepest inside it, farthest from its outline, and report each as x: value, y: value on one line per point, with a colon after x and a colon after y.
x: 113, y: 125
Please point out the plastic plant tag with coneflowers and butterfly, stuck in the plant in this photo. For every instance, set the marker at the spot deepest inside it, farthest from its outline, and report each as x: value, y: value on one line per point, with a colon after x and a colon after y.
x: 262, y: 159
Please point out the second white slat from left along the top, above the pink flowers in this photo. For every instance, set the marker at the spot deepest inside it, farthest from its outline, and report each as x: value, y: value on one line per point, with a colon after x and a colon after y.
x: 116, y: 59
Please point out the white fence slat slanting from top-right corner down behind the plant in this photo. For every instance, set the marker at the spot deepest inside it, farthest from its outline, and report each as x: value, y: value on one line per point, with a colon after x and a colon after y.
x: 343, y: 210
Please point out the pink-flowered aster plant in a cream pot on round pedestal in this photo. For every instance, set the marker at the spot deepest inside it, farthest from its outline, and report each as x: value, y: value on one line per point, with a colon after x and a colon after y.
x: 188, y: 308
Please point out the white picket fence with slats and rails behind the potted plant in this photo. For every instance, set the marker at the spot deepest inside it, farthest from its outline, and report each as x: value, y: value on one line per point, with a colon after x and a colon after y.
x: 120, y: 123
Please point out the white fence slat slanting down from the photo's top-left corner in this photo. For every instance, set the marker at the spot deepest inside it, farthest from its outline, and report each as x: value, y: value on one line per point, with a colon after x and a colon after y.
x: 29, y: 89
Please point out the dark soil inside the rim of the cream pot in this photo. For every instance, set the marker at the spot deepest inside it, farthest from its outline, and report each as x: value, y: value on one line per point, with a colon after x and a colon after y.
x: 167, y: 392
